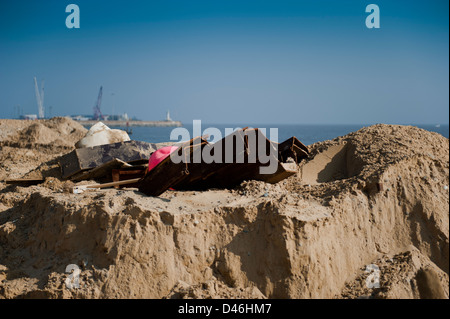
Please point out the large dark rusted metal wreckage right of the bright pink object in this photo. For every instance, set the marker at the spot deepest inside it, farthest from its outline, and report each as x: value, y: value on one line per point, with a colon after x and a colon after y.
x: 223, y: 174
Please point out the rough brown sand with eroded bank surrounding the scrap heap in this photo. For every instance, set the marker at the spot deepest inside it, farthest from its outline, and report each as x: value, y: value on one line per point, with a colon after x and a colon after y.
x: 378, y: 196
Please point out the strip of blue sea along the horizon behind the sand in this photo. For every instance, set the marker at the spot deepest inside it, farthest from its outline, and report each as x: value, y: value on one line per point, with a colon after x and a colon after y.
x: 307, y: 134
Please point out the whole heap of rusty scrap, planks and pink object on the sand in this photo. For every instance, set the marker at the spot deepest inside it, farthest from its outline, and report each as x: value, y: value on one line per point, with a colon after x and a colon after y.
x: 250, y: 150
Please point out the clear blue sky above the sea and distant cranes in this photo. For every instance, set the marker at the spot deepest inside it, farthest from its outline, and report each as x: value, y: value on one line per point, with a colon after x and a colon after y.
x: 230, y: 61
